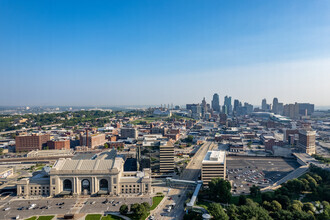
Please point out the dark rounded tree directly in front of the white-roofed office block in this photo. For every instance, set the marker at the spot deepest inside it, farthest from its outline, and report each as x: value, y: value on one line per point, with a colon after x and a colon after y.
x: 219, y: 190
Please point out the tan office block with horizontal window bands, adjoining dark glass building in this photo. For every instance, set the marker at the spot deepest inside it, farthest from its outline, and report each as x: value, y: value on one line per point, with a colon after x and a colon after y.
x: 166, y: 158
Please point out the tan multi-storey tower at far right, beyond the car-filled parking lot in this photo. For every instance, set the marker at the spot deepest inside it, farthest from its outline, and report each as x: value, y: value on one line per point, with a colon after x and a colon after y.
x: 306, y: 141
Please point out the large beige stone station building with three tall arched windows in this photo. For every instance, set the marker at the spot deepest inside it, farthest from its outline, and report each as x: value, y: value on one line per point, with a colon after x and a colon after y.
x: 103, y: 175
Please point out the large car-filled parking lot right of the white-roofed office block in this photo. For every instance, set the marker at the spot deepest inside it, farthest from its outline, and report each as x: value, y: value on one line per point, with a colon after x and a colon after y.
x: 244, y: 172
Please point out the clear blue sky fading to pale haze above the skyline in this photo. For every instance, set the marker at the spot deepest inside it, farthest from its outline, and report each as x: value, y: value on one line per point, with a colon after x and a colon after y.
x: 106, y: 53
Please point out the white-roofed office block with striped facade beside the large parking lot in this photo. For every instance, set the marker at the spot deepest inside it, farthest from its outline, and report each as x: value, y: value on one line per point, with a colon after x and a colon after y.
x: 213, y: 166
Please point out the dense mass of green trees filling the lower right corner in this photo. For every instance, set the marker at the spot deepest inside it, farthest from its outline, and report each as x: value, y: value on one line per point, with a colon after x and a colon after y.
x: 280, y: 204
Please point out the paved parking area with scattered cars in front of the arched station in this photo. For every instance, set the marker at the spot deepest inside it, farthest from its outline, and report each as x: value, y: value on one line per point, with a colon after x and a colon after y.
x: 52, y: 206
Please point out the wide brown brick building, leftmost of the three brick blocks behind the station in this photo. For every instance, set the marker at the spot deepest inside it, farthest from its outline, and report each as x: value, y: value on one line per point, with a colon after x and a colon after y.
x: 31, y: 142
